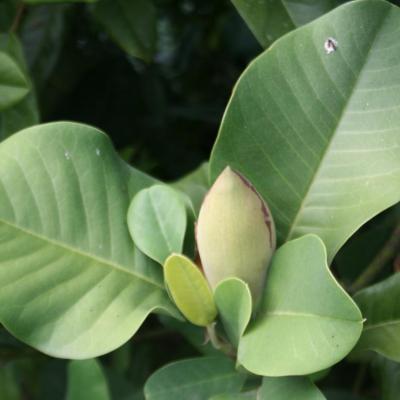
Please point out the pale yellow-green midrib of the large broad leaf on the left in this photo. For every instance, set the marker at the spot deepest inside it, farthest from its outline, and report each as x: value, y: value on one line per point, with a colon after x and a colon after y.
x: 100, y: 260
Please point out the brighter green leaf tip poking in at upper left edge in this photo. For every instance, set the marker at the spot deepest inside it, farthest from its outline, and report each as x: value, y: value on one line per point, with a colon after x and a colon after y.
x: 13, y: 83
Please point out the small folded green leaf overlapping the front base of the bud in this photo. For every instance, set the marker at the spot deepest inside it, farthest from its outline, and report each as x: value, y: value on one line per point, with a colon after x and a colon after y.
x: 233, y: 299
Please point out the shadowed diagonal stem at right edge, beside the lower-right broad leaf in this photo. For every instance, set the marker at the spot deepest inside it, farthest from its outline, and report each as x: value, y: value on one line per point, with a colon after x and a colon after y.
x: 389, y: 251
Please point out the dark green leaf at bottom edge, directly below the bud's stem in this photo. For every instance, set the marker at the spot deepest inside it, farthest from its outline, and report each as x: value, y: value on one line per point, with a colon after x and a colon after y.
x: 197, y: 379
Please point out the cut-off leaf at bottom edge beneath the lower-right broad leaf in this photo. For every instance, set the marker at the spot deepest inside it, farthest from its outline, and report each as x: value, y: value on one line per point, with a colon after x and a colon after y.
x: 289, y: 387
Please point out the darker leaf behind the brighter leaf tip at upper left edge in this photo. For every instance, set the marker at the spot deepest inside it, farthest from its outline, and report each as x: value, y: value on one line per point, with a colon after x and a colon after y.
x: 25, y: 112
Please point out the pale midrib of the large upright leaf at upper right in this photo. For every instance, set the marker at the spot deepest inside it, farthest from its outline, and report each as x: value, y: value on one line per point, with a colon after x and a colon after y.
x: 334, y: 132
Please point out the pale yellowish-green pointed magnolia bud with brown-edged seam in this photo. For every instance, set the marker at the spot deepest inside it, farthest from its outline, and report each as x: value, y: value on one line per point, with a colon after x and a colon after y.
x: 235, y: 233
